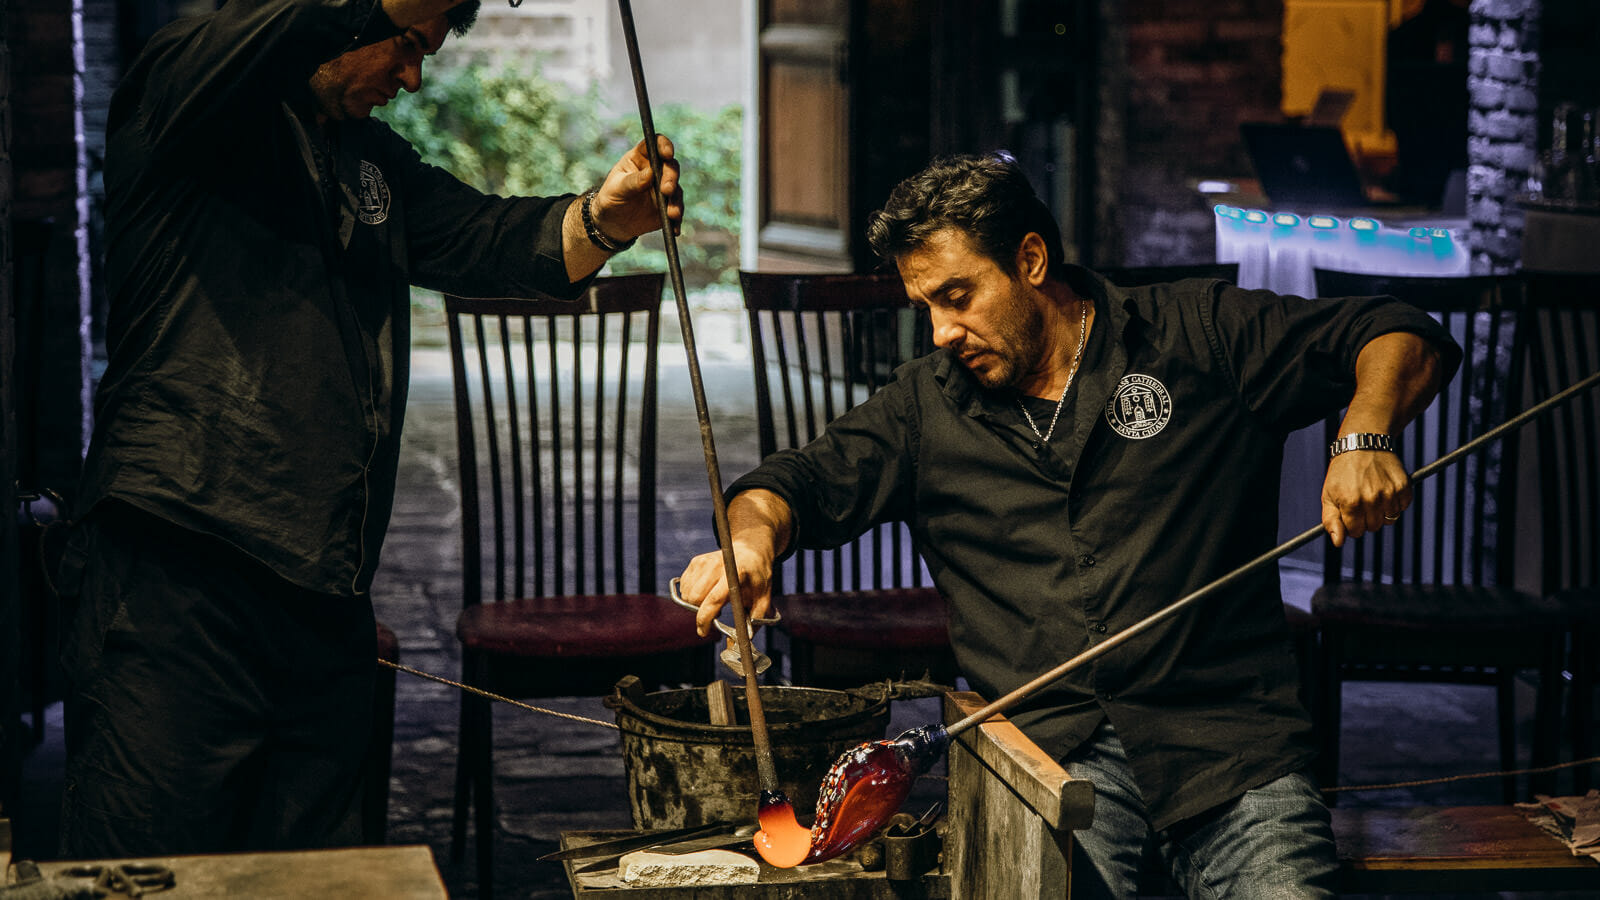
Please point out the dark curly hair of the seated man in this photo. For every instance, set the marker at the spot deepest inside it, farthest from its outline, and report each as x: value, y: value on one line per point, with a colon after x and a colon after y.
x: 986, y: 196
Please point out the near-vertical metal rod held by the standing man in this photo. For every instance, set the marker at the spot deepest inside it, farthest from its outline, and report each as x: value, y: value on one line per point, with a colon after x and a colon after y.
x: 753, y: 694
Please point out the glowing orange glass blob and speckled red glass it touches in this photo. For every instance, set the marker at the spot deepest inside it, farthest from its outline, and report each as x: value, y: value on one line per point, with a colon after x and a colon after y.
x: 863, y: 790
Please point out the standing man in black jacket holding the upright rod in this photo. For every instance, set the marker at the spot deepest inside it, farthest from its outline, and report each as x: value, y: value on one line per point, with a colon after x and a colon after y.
x: 263, y: 235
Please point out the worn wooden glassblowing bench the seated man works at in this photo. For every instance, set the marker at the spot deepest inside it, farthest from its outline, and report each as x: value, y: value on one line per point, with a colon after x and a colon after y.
x: 1014, y: 810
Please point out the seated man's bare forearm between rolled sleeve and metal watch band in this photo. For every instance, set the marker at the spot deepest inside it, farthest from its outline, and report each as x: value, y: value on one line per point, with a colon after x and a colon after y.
x: 1396, y: 377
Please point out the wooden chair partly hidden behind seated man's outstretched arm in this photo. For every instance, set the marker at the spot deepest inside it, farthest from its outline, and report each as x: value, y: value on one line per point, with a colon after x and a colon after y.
x: 863, y: 613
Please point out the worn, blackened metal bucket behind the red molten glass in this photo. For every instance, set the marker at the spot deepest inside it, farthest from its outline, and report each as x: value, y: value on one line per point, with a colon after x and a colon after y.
x: 684, y: 771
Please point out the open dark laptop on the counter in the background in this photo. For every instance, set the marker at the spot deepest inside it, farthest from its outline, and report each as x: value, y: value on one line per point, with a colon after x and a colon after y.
x: 1305, y: 167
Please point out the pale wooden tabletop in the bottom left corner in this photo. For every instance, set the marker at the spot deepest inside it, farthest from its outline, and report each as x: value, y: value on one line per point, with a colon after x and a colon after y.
x: 354, y: 874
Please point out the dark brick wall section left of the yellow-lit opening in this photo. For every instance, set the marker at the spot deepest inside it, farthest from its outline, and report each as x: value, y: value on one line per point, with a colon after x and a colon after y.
x: 1194, y: 71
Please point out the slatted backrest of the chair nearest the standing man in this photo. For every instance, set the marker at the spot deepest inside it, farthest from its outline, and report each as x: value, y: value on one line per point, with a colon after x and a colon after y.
x: 556, y: 424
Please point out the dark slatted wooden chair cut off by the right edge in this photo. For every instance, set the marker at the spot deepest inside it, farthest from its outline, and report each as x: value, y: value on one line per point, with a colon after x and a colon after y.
x: 1561, y: 345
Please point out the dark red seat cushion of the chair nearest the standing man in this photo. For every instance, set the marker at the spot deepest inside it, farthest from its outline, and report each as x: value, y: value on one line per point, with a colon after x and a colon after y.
x: 580, y: 627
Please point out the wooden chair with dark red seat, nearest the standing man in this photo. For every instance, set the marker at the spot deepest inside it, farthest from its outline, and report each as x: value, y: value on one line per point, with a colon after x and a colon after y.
x: 556, y: 422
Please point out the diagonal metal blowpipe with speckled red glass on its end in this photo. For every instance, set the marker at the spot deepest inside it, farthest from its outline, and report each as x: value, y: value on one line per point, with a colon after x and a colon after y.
x: 868, y: 784
